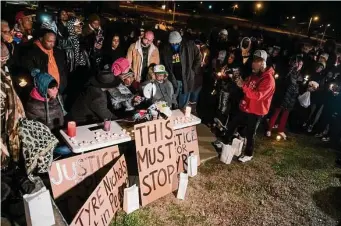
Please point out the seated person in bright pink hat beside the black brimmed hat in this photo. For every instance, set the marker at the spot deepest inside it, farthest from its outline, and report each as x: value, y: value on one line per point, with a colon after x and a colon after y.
x: 123, y: 96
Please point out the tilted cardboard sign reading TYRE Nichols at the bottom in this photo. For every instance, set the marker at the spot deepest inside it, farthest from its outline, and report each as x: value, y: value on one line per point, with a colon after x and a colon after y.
x: 106, y: 199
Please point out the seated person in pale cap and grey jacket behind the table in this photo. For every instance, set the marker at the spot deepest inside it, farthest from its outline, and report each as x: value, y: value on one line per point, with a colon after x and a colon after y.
x: 157, y: 75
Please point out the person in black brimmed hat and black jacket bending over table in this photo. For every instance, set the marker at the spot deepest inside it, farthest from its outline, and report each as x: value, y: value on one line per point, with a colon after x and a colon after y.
x: 91, y: 105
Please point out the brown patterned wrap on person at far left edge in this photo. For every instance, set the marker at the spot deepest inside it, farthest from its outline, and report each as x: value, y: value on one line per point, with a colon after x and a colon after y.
x: 11, y: 110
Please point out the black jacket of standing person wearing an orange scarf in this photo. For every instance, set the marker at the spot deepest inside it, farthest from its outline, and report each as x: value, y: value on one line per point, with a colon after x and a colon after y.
x: 35, y: 58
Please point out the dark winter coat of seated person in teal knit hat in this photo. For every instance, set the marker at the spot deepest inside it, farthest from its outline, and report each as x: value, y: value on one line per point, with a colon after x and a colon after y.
x: 50, y: 113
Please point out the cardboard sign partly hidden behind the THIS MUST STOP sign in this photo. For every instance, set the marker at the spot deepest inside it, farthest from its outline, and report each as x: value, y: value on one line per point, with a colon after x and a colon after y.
x: 185, y: 143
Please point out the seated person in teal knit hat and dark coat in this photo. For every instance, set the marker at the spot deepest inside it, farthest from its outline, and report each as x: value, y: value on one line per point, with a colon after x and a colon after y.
x: 44, y: 103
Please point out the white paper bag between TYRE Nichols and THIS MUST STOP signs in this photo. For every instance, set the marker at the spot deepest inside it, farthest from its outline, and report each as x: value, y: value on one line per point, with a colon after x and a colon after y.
x: 131, y: 199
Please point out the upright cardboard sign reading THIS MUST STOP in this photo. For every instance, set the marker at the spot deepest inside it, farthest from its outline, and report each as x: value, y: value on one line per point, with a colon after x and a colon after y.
x: 156, y: 159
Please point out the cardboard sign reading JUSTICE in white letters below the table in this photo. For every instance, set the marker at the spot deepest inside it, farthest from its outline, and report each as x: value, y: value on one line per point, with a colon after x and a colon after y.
x: 67, y: 173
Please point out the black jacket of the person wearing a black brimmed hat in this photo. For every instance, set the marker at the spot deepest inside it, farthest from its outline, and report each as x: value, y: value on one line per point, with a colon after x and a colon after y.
x: 91, y: 106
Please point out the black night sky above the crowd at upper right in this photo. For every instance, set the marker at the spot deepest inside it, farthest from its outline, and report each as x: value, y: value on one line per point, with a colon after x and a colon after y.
x: 274, y: 13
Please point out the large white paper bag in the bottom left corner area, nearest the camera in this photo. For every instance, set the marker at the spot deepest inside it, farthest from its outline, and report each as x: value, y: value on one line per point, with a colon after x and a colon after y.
x: 38, y: 208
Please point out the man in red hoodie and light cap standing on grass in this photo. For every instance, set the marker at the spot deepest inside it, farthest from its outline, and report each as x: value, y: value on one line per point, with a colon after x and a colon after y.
x: 258, y: 90
